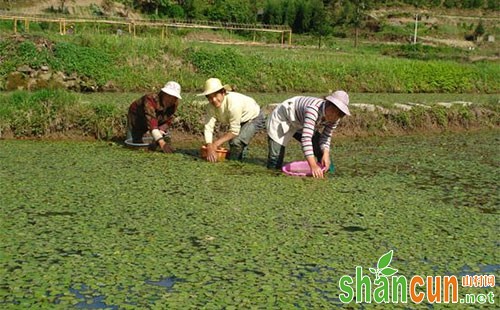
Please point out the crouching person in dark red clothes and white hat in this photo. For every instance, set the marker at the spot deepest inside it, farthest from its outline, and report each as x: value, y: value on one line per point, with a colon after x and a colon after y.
x: 154, y: 113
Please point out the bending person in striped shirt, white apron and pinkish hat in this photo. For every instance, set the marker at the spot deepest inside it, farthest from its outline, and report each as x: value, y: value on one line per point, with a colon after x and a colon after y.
x: 297, y: 118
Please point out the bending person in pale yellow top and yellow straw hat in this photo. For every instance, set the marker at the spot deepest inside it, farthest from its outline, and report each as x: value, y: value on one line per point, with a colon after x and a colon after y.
x: 240, y: 112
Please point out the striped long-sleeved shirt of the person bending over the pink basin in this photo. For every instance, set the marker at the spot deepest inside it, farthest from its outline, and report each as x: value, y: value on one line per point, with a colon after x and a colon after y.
x: 309, y: 111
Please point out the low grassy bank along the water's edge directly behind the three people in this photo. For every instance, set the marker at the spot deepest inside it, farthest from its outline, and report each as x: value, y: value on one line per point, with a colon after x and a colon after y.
x: 50, y: 113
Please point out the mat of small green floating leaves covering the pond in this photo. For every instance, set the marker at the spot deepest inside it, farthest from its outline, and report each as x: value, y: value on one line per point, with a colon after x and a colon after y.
x: 98, y: 225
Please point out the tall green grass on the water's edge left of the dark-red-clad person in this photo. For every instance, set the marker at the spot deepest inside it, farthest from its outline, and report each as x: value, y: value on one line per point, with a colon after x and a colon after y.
x: 45, y: 112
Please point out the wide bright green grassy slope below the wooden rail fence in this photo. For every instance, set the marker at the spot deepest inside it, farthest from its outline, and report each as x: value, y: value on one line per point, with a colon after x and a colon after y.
x: 144, y: 63
